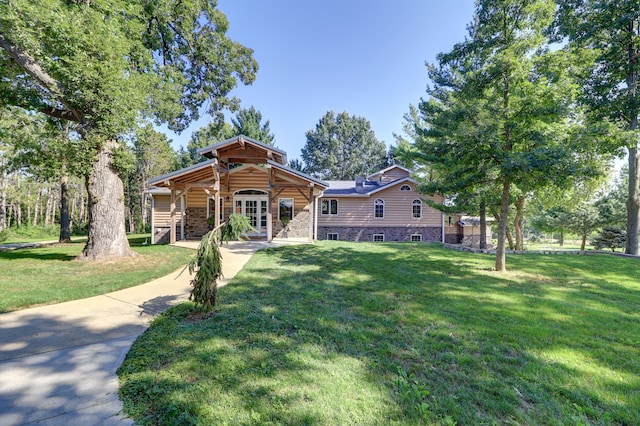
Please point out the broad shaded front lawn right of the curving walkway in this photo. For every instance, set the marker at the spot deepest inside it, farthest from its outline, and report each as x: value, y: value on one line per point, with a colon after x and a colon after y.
x: 377, y: 334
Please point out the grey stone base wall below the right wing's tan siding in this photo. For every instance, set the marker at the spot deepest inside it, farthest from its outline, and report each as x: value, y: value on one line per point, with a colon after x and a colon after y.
x: 391, y: 233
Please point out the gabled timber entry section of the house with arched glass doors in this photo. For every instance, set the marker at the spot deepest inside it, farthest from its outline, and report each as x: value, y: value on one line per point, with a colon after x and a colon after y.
x: 242, y: 176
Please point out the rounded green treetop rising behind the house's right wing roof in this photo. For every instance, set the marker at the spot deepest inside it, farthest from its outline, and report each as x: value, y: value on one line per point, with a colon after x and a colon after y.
x: 342, y: 147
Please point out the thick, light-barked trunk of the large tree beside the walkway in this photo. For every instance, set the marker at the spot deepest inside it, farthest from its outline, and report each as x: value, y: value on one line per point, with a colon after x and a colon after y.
x: 107, y: 236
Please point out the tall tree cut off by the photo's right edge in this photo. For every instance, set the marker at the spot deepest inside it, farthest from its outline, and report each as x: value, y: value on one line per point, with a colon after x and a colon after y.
x: 610, y: 31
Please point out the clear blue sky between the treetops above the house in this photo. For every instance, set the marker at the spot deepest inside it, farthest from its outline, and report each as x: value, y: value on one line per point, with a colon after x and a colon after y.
x: 365, y: 57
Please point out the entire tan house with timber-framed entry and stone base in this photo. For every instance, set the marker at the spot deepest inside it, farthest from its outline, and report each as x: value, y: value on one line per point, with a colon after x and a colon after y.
x: 242, y: 175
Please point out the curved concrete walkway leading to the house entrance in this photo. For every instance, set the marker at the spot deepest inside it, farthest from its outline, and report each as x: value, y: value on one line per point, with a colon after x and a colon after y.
x: 58, y: 363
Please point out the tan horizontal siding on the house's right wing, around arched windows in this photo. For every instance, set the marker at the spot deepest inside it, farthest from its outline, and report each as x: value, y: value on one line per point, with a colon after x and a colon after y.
x: 358, y: 211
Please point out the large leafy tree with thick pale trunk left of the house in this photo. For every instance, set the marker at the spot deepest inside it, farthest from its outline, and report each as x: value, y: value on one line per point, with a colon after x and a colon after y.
x: 103, y: 66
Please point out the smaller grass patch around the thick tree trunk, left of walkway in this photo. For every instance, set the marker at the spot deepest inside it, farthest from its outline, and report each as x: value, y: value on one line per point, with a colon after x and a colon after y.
x: 47, y: 275
